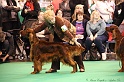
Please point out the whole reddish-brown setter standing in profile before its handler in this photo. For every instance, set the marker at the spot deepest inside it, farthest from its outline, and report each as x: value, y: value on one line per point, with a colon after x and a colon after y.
x: 44, y: 52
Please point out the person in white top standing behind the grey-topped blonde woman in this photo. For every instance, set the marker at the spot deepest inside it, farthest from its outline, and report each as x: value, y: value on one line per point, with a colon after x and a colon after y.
x: 106, y: 11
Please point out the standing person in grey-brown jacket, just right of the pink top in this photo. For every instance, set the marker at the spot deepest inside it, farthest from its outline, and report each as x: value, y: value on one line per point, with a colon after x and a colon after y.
x: 64, y: 6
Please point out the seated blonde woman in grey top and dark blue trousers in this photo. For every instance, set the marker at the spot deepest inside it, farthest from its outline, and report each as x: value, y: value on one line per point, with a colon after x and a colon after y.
x: 96, y: 33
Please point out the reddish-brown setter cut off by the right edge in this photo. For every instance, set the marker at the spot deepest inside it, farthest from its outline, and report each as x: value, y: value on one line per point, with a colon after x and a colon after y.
x: 119, y: 45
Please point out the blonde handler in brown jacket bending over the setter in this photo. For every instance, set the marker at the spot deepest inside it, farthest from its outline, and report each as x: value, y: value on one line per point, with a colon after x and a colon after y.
x: 62, y: 30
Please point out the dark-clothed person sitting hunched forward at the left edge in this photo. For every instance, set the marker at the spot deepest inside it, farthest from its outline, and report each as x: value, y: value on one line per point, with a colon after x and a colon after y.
x: 6, y: 45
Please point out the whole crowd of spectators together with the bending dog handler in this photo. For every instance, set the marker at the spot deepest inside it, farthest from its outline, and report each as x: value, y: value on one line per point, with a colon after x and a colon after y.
x: 80, y: 22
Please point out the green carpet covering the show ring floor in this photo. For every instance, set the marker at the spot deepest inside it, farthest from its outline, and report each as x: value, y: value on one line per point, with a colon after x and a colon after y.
x: 95, y: 71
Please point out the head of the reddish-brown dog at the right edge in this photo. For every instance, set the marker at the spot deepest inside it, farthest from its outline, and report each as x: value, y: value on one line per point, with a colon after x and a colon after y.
x: 114, y: 30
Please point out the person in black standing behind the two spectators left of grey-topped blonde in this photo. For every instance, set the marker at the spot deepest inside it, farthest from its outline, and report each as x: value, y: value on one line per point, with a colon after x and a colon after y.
x: 73, y: 3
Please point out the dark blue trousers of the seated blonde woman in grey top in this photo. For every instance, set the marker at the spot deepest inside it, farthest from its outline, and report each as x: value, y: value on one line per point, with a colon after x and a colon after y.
x: 98, y: 42
